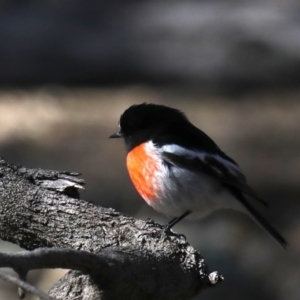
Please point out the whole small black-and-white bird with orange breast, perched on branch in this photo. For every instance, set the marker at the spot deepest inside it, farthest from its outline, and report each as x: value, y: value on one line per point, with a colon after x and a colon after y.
x: 179, y: 170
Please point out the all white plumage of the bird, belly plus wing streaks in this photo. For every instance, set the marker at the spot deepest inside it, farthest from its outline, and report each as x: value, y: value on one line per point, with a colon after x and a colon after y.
x: 180, y: 190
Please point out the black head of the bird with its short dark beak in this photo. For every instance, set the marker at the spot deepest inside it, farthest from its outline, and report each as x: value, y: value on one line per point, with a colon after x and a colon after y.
x: 141, y: 123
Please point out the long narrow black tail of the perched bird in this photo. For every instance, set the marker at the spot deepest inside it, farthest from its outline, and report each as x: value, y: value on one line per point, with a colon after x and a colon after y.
x: 261, y: 221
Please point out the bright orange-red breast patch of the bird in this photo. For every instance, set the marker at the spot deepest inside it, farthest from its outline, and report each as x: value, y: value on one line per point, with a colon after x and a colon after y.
x: 142, y: 167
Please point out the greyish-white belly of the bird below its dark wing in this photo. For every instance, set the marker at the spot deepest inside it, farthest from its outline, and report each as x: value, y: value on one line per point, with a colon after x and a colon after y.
x: 183, y: 190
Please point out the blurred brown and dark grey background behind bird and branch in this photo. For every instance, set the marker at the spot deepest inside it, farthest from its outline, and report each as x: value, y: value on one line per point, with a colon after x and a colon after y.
x: 68, y: 69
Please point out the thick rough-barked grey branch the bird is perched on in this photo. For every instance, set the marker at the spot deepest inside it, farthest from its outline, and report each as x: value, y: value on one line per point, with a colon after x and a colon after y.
x: 135, y: 259
